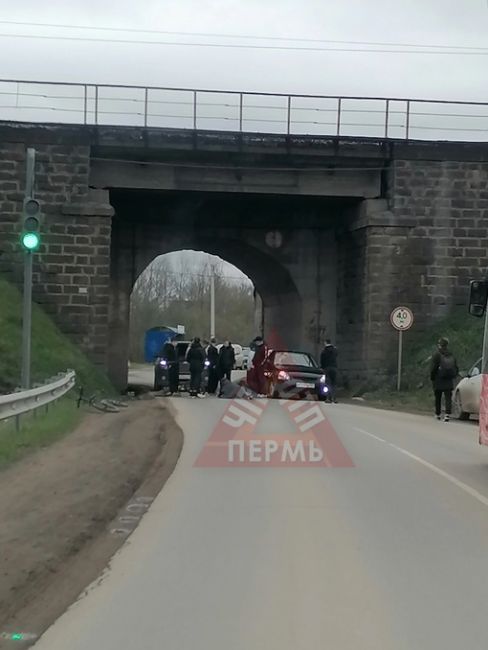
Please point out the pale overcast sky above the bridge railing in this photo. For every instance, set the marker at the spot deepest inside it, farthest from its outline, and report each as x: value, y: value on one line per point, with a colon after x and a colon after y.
x: 425, y: 22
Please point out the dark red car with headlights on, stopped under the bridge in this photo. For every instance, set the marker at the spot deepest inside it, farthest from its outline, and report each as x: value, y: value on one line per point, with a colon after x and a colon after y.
x: 291, y: 374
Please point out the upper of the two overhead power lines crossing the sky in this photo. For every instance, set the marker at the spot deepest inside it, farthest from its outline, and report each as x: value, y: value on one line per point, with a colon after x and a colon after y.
x: 291, y: 39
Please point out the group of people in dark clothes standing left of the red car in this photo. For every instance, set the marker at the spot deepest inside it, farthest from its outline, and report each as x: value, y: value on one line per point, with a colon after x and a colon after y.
x: 219, y: 363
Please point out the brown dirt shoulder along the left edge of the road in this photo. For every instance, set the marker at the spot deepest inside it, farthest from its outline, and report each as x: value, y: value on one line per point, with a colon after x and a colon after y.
x: 59, y: 509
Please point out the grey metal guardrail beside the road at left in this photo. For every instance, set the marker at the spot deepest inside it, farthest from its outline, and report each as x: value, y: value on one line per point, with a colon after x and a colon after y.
x: 23, y: 401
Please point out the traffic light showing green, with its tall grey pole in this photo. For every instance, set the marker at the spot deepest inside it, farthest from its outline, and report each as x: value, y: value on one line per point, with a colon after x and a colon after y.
x: 30, y: 241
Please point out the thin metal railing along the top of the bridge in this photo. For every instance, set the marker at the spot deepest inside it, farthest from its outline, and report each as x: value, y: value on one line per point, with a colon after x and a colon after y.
x: 250, y: 112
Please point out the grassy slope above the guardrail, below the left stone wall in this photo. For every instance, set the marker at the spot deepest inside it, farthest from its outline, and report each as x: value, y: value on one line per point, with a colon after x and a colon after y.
x: 52, y: 352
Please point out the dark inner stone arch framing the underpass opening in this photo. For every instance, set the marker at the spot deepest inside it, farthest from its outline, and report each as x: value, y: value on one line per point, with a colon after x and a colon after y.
x: 281, y: 300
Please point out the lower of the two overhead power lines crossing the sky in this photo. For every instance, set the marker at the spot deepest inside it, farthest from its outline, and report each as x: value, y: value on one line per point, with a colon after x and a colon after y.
x: 245, y: 46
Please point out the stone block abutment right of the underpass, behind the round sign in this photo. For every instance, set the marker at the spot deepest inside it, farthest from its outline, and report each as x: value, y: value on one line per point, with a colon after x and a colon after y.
x: 419, y: 248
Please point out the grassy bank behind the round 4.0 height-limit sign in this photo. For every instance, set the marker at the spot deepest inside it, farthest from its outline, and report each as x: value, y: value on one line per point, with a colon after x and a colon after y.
x: 465, y: 334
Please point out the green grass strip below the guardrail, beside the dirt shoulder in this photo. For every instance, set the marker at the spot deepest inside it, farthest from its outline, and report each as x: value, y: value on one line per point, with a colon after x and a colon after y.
x: 37, y: 430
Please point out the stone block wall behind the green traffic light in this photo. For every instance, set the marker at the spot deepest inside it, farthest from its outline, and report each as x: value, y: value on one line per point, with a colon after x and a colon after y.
x: 71, y: 268
